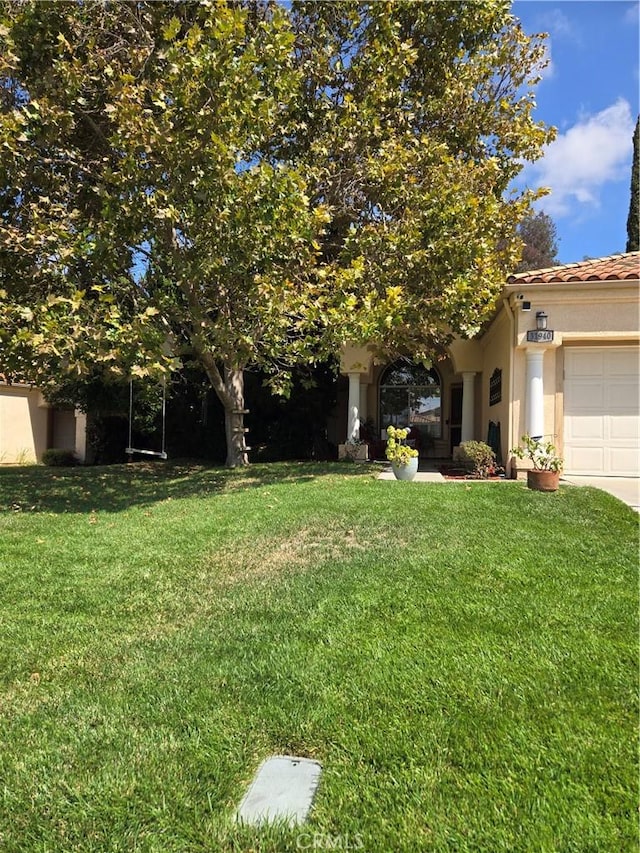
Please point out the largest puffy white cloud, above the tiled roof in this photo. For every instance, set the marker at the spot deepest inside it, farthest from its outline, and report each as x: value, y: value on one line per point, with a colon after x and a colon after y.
x: 593, y: 152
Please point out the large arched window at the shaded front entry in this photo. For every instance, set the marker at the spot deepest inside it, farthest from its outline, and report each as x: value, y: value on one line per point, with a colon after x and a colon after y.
x: 410, y: 396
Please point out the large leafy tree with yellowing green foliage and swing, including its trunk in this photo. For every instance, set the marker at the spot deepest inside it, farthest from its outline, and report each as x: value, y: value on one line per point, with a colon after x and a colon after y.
x: 241, y: 184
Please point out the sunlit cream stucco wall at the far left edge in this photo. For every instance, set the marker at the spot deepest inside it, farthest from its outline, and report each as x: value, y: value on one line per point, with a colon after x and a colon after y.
x: 23, y: 425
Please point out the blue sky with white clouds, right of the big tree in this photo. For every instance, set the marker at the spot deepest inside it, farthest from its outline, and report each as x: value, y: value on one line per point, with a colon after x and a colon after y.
x: 590, y: 93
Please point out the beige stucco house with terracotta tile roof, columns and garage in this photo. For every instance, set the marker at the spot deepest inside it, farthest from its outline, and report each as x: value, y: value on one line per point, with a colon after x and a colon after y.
x: 560, y: 359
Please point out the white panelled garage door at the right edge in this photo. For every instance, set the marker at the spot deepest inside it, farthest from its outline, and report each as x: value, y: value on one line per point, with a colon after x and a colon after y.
x: 601, y: 411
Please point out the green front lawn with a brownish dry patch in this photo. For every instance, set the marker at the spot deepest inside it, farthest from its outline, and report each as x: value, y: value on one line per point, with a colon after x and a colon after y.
x: 462, y: 659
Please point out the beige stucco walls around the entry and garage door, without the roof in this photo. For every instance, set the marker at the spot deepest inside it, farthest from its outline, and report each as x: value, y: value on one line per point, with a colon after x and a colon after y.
x: 579, y: 313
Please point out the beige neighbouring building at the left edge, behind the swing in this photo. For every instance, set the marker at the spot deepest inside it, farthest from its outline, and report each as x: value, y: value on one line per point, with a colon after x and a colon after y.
x: 29, y: 426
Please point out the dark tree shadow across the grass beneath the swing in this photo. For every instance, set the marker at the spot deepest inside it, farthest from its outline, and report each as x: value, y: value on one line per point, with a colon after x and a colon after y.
x: 115, y: 488
